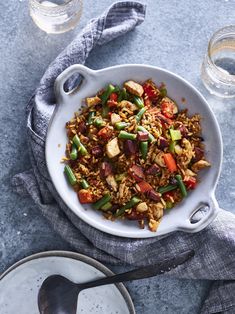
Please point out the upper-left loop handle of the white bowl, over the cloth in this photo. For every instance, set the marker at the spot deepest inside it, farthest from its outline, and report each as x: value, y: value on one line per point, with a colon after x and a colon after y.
x: 85, y: 72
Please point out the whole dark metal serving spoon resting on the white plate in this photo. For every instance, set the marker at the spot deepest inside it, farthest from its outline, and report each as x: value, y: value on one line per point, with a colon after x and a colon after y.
x: 58, y: 295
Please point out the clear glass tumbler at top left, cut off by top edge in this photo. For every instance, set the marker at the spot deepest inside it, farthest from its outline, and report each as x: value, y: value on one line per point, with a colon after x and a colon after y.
x: 55, y: 16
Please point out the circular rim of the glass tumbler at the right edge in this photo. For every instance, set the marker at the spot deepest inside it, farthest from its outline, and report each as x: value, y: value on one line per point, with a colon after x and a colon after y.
x: 217, y: 35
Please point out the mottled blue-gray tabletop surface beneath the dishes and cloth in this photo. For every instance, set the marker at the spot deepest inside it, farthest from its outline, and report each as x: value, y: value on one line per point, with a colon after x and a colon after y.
x: 174, y: 36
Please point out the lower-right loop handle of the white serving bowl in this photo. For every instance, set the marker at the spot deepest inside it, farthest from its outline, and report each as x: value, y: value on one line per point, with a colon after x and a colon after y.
x: 212, y: 211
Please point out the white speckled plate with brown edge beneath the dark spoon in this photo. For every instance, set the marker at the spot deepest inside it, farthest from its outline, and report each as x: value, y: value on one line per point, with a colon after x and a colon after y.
x: 20, y: 284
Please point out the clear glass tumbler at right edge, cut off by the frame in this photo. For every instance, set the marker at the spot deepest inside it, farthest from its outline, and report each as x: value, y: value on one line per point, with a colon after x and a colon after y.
x: 218, y: 67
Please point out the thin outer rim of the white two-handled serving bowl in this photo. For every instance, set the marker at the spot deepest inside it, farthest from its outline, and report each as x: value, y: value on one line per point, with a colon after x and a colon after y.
x: 99, y: 225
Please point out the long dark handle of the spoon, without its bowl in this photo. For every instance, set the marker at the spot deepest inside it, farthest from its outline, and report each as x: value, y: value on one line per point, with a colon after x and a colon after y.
x: 143, y: 272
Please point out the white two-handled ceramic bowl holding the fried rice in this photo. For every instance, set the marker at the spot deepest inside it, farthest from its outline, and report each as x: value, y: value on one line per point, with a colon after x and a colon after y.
x: 67, y: 103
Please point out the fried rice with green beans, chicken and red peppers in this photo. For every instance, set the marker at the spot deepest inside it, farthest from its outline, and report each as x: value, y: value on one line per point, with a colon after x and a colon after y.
x: 132, y: 154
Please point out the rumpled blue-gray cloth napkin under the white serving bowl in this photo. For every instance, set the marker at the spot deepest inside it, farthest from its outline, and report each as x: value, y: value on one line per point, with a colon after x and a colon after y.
x: 214, y: 246
